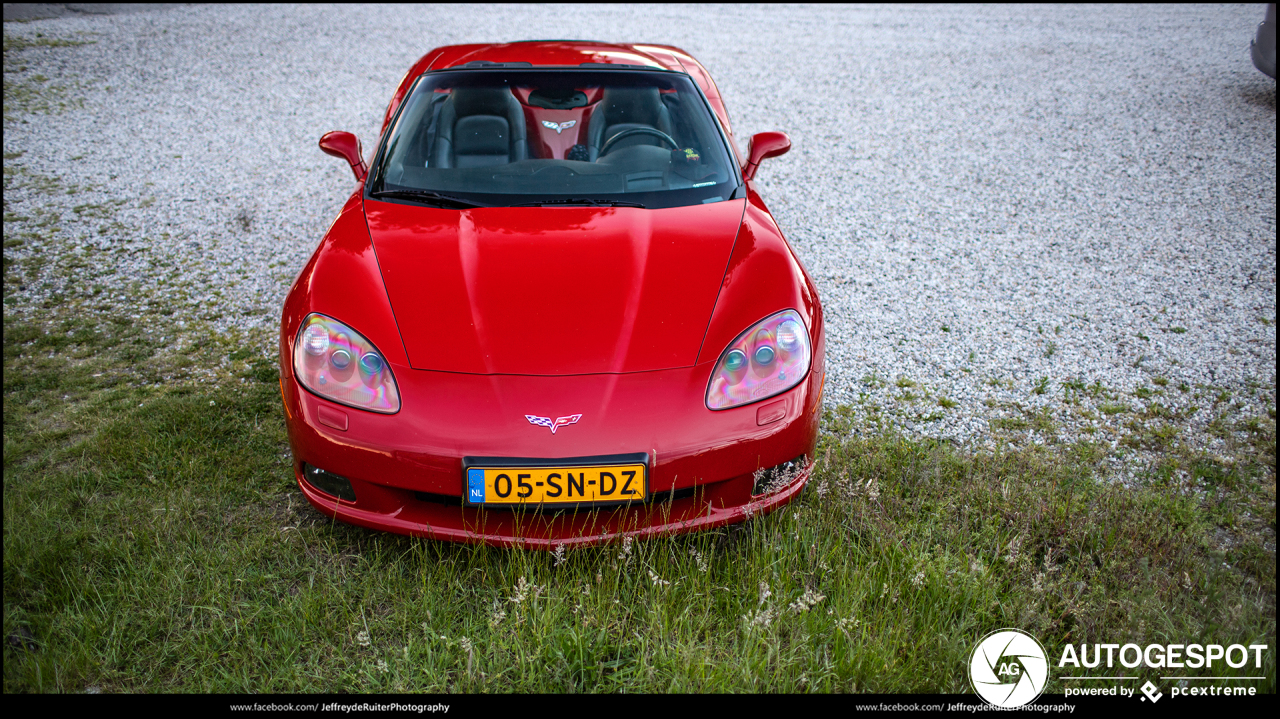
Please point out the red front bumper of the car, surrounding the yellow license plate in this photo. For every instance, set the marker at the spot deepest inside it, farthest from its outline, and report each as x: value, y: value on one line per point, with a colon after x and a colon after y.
x: 406, y: 469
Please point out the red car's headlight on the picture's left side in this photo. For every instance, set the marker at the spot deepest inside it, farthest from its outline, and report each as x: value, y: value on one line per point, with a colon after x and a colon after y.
x: 339, y: 364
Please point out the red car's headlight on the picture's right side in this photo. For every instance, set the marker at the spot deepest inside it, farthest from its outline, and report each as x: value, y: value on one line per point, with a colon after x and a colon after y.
x: 769, y: 359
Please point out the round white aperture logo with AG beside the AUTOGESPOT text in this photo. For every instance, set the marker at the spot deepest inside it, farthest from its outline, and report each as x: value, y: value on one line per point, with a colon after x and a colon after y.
x: 1009, y: 668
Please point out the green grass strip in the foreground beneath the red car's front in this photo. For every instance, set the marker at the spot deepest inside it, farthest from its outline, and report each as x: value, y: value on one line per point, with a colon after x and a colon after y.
x: 154, y: 542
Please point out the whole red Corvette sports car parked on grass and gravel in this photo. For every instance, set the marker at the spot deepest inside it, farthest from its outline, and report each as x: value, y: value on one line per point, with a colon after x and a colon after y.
x: 555, y: 312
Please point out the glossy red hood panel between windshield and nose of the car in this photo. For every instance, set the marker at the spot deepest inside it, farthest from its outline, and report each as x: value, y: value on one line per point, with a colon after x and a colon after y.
x: 552, y: 291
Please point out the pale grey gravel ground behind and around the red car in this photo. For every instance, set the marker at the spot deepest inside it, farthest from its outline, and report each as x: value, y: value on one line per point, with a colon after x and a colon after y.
x: 998, y: 204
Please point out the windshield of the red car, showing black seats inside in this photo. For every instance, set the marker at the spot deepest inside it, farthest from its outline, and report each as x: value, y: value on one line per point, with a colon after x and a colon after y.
x: 555, y: 138
